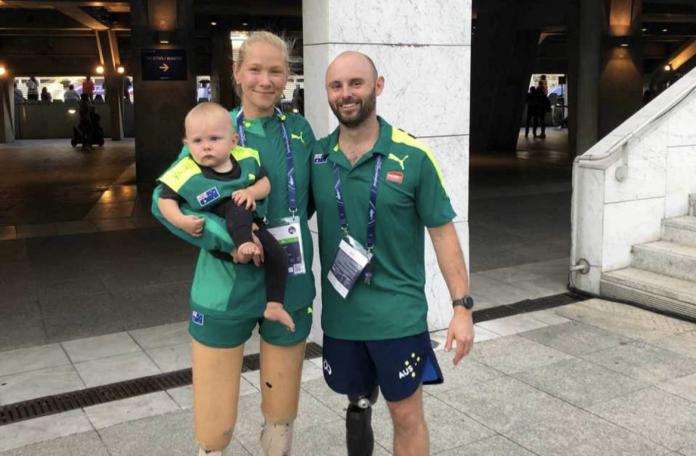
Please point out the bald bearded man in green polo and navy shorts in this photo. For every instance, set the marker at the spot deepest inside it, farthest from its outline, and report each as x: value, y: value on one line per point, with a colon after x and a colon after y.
x: 375, y: 189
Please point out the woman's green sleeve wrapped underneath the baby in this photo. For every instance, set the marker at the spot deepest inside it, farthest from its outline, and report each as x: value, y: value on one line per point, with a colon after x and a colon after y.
x: 215, y: 235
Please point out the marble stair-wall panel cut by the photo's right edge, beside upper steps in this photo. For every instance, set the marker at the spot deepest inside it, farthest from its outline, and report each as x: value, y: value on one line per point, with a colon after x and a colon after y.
x: 681, y: 179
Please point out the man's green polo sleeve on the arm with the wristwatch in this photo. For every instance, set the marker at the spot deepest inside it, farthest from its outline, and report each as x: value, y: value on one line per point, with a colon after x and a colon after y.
x: 432, y: 203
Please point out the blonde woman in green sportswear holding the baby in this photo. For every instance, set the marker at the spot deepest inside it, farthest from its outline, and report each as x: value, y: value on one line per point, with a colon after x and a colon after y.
x: 228, y: 299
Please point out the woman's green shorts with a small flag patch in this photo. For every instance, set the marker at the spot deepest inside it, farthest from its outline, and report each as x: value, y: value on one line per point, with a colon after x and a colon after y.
x: 216, y: 331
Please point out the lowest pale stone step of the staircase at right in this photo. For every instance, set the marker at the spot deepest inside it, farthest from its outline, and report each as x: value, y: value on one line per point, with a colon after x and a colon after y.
x: 655, y: 291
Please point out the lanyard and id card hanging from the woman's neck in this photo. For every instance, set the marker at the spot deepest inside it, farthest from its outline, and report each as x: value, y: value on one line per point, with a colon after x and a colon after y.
x: 287, y: 231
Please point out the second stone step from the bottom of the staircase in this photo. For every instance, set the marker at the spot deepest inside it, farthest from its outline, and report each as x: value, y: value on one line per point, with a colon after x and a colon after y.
x: 667, y: 258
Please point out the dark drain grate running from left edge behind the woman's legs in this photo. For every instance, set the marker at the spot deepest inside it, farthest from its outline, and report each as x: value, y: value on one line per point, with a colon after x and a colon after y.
x: 50, y: 405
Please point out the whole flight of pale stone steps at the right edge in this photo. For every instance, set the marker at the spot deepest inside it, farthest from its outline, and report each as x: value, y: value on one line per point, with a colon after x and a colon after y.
x: 662, y: 274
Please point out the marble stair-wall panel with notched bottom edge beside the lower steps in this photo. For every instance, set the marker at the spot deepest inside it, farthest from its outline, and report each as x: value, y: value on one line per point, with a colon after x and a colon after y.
x: 629, y: 223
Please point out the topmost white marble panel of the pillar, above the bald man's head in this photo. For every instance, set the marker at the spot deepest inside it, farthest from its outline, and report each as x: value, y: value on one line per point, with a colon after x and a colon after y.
x: 406, y: 22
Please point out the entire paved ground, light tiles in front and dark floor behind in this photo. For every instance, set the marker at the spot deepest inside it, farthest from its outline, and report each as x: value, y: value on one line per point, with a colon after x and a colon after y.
x: 93, y: 292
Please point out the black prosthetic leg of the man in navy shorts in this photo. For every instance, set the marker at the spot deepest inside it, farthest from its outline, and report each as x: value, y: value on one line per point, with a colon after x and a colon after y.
x: 359, y: 437
